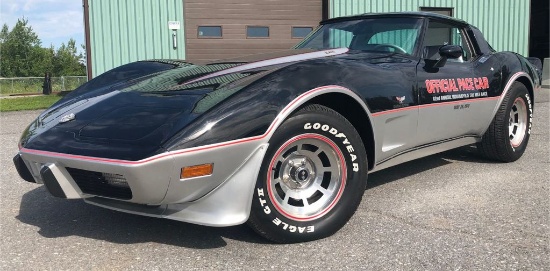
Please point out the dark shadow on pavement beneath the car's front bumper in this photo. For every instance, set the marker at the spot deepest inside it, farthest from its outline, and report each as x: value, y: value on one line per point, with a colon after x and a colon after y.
x: 60, y: 218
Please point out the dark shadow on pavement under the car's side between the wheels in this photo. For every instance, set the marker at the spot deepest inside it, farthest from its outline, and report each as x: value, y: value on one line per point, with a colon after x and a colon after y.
x: 462, y: 154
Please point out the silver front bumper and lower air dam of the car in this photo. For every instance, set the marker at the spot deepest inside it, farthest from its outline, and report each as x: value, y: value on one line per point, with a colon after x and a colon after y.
x: 153, y: 186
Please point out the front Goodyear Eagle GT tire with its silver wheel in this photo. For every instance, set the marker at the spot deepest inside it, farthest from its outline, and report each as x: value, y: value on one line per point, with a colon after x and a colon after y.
x: 312, y: 178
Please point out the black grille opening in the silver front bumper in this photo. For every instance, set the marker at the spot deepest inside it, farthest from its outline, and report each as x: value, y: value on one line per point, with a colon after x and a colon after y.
x: 101, y: 184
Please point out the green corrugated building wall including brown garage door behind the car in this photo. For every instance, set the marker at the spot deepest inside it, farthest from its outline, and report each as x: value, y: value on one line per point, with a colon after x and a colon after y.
x: 122, y: 31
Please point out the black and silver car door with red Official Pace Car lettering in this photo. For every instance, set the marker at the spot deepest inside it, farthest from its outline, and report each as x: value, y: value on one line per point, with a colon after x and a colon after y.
x: 446, y: 93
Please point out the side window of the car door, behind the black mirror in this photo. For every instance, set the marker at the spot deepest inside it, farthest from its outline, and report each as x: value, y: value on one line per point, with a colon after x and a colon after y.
x: 440, y: 34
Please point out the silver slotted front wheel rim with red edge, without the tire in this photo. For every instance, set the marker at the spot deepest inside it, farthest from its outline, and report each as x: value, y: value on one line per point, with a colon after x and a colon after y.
x: 307, y: 176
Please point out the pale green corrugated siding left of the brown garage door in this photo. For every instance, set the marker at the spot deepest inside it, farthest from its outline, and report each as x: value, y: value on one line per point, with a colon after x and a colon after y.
x: 123, y: 31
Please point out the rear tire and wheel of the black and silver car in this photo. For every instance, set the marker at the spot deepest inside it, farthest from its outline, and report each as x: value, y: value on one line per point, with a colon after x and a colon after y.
x: 508, y: 134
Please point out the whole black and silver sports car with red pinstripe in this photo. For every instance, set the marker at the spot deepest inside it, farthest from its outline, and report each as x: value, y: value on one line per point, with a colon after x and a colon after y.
x: 283, y: 141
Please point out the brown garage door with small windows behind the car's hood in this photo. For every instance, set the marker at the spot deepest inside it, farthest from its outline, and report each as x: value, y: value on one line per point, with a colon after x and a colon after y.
x: 230, y: 28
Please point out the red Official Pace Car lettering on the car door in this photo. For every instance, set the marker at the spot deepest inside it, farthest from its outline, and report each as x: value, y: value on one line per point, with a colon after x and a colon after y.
x: 443, y: 89
